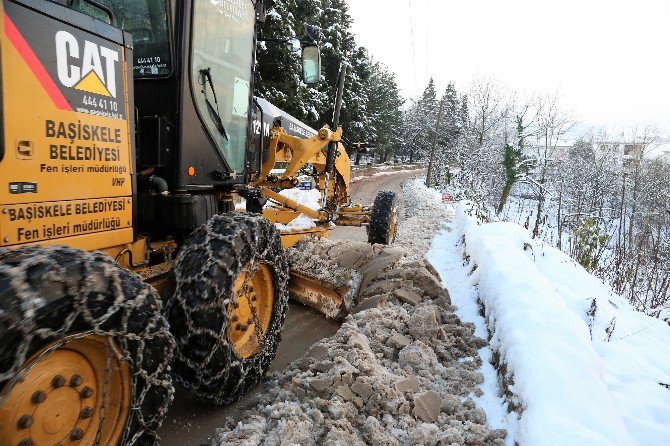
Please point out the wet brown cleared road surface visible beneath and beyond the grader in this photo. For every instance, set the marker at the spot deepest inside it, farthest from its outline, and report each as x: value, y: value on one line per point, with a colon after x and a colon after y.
x: 190, y: 423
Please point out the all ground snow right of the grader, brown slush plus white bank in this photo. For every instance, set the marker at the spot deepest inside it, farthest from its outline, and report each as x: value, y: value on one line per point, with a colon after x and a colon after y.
x: 567, y: 361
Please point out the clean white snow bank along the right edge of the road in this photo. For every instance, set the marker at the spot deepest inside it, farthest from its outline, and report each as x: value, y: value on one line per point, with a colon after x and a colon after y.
x: 580, y: 365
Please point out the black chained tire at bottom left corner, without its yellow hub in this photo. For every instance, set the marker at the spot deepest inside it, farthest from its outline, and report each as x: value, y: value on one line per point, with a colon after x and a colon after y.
x: 48, y: 293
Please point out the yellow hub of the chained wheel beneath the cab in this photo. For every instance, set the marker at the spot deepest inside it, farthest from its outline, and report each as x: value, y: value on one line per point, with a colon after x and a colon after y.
x: 251, y: 312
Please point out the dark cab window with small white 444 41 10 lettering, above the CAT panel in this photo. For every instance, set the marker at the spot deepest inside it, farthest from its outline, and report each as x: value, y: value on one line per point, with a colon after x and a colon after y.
x: 146, y: 20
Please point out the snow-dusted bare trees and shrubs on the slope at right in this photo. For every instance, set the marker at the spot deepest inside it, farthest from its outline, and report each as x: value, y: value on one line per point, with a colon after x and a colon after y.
x: 599, y: 195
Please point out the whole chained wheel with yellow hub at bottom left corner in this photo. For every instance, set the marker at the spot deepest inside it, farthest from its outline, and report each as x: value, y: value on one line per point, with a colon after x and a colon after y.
x: 82, y: 341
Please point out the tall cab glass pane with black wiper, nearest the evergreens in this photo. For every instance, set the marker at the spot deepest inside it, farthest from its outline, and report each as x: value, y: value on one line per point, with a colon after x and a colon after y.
x: 221, y: 72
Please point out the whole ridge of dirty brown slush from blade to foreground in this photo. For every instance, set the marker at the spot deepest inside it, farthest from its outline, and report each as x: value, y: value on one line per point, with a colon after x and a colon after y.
x: 402, y: 370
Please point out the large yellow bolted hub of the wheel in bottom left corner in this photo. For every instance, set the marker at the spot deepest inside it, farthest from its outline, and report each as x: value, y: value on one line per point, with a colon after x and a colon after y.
x: 59, y: 398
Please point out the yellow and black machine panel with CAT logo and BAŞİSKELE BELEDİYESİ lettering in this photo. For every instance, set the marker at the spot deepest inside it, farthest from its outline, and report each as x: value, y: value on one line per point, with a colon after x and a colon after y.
x: 66, y: 162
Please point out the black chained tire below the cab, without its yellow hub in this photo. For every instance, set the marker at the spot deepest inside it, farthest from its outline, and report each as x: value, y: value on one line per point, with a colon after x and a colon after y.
x: 205, y: 272
